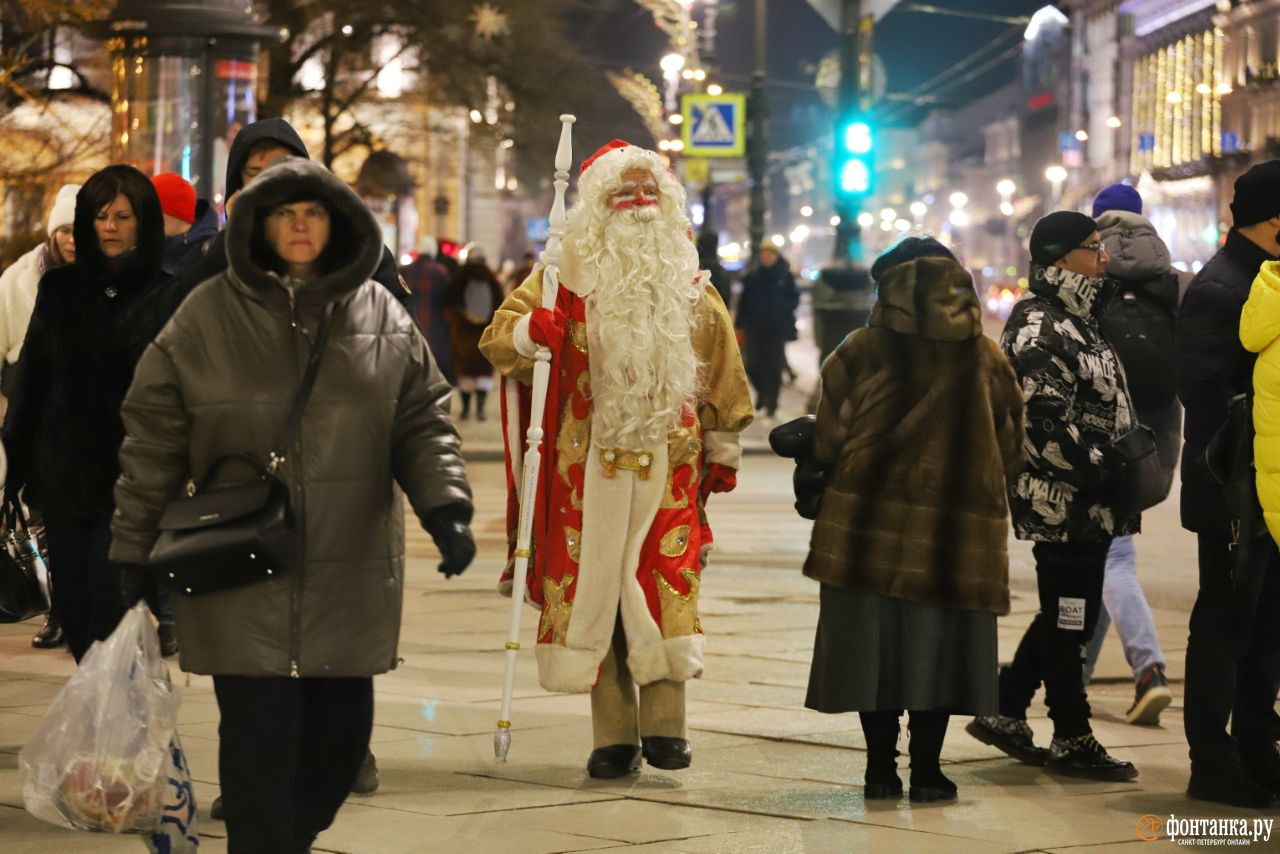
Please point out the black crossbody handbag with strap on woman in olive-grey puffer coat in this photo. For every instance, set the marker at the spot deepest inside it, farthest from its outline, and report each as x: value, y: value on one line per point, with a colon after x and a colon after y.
x: 227, y: 537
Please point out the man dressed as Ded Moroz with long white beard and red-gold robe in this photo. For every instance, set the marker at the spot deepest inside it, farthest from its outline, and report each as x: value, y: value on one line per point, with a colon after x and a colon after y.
x: 647, y: 399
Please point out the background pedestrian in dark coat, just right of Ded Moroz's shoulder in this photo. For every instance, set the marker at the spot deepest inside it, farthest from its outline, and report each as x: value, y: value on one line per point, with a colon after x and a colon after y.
x: 767, y: 317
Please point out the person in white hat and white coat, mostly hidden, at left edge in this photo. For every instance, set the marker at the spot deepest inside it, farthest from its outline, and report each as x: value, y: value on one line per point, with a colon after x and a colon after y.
x: 19, y: 287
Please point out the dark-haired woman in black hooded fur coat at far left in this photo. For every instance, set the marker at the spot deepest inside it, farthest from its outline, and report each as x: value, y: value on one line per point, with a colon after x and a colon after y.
x: 92, y: 322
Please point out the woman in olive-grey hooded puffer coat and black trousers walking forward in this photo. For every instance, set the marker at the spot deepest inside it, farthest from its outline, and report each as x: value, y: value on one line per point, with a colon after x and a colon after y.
x: 294, y: 659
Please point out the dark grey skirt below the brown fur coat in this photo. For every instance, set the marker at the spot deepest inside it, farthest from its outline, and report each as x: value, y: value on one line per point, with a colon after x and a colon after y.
x: 875, y: 652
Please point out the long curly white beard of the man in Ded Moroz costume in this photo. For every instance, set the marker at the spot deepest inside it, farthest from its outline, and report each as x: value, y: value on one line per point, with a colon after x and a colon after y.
x: 641, y: 314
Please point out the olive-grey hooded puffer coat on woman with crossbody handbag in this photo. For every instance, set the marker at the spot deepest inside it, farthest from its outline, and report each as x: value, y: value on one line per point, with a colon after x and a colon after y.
x: 221, y: 380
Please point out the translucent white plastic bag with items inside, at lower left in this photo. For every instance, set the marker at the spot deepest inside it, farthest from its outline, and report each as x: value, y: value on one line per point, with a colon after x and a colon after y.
x: 106, y: 756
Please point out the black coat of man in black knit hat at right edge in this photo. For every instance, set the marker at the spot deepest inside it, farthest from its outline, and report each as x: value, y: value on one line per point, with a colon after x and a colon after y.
x: 1213, y: 368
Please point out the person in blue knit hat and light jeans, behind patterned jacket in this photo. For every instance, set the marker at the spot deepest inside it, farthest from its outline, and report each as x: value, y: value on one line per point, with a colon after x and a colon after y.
x: 1139, y: 322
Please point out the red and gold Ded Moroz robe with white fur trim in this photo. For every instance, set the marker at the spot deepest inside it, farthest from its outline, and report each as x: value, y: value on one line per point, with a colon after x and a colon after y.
x: 618, y: 535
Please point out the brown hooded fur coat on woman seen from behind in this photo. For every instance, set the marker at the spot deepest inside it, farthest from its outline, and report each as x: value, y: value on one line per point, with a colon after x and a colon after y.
x: 921, y: 419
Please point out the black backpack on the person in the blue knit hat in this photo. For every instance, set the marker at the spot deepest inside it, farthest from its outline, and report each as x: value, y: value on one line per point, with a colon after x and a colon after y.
x: 1140, y: 323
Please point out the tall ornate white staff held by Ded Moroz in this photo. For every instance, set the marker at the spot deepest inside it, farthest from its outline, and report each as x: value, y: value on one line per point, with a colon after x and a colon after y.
x: 533, y: 456
